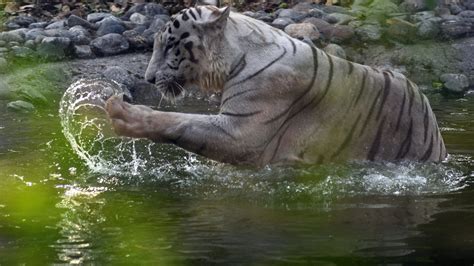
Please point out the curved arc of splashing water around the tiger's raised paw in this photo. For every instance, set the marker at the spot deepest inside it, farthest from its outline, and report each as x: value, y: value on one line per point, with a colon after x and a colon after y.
x: 87, y: 128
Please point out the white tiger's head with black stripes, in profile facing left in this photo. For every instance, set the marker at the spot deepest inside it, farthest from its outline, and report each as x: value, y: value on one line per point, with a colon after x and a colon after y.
x: 186, y: 51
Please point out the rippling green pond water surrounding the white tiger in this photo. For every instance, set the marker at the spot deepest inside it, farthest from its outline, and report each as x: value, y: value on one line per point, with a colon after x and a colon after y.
x: 182, y: 209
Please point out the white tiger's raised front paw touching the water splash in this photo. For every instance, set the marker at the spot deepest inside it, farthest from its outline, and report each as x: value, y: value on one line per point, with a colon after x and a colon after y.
x: 127, y: 120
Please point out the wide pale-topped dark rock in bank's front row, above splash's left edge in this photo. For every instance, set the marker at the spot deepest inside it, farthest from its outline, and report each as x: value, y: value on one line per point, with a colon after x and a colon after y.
x: 54, y: 47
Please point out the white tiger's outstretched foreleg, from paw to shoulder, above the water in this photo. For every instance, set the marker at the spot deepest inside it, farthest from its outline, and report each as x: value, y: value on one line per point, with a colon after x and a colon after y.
x: 210, y: 135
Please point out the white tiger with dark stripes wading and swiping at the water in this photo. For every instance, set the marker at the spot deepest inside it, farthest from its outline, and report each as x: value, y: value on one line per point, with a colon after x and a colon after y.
x: 283, y: 101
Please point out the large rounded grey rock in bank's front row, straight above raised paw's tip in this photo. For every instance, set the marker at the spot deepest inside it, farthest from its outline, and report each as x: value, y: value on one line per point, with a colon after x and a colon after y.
x: 110, y: 44
